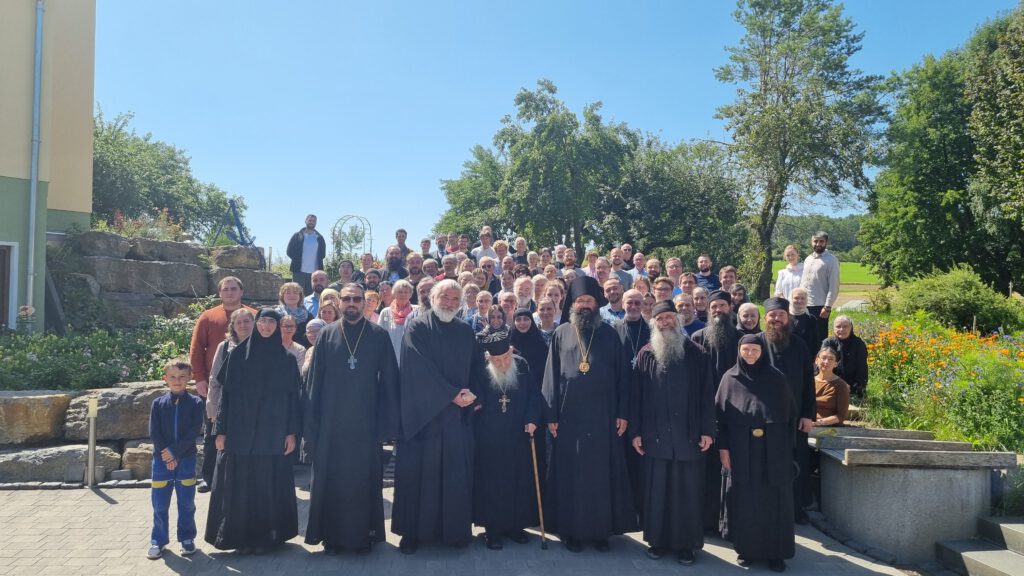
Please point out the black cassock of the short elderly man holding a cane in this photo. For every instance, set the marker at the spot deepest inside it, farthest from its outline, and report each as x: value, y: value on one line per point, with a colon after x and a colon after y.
x: 504, y: 495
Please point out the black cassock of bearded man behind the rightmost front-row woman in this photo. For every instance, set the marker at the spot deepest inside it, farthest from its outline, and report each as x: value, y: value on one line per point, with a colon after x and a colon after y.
x: 797, y: 365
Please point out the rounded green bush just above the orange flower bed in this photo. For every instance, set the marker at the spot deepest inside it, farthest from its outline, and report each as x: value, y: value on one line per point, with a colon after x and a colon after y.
x: 960, y: 299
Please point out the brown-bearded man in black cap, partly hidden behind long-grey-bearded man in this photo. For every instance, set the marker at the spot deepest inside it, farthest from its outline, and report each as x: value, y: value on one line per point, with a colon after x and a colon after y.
x: 719, y: 341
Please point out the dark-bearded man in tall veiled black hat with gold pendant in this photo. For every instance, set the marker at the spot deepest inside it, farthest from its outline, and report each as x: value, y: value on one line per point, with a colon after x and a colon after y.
x: 586, y: 392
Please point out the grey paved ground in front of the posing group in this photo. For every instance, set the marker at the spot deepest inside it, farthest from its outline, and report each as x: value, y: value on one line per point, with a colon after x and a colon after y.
x: 99, y: 532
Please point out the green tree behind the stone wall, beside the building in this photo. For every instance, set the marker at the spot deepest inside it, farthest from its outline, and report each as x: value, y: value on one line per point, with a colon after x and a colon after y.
x: 137, y: 176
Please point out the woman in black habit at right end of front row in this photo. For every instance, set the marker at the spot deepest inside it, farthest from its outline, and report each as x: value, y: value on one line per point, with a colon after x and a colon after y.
x: 756, y: 425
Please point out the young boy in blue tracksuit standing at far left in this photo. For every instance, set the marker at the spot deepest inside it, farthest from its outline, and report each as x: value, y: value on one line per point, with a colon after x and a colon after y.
x: 176, y: 421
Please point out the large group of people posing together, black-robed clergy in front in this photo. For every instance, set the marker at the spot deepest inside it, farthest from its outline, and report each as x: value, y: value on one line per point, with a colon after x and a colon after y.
x: 522, y: 391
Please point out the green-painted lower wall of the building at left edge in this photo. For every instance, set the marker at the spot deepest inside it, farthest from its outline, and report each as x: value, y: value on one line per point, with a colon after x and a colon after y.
x: 15, y: 228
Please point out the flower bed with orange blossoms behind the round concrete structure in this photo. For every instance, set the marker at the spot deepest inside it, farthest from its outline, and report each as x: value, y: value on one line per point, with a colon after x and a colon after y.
x: 958, y: 385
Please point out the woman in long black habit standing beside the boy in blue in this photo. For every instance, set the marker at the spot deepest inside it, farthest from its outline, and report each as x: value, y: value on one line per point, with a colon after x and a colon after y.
x: 252, y: 506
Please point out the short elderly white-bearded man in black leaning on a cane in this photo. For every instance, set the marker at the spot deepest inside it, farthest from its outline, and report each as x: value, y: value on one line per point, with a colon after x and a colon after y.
x: 508, y: 413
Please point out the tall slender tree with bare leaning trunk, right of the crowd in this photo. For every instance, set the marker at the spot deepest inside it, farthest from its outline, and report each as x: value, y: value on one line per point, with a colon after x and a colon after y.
x: 804, y: 122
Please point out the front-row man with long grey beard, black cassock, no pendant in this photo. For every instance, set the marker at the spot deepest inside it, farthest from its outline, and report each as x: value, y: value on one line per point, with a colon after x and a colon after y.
x: 672, y: 424
